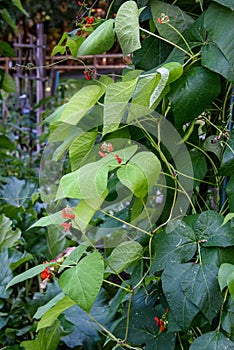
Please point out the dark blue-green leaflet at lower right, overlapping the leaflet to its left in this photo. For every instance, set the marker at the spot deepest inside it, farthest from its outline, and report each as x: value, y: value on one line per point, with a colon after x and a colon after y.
x: 200, y: 286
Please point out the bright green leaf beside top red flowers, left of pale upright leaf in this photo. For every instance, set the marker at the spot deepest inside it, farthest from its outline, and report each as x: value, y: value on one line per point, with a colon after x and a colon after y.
x: 100, y: 40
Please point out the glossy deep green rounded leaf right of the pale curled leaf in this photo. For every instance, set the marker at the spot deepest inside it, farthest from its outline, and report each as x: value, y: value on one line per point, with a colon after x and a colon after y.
x: 193, y: 93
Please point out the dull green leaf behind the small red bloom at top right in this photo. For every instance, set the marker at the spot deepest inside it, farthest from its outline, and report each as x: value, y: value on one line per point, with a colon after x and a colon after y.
x: 177, y: 18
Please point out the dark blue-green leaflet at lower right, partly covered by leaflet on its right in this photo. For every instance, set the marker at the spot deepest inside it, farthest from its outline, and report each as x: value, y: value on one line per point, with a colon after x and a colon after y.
x: 182, y: 310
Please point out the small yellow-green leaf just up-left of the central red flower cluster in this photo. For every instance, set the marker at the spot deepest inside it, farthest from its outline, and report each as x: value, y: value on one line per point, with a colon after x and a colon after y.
x: 80, y: 148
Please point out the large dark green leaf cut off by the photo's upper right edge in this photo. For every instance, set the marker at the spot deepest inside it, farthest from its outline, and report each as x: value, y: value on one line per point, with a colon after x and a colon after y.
x: 219, y: 56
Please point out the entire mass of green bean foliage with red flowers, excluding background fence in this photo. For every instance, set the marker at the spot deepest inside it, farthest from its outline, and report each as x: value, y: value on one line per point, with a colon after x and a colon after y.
x: 136, y: 249
